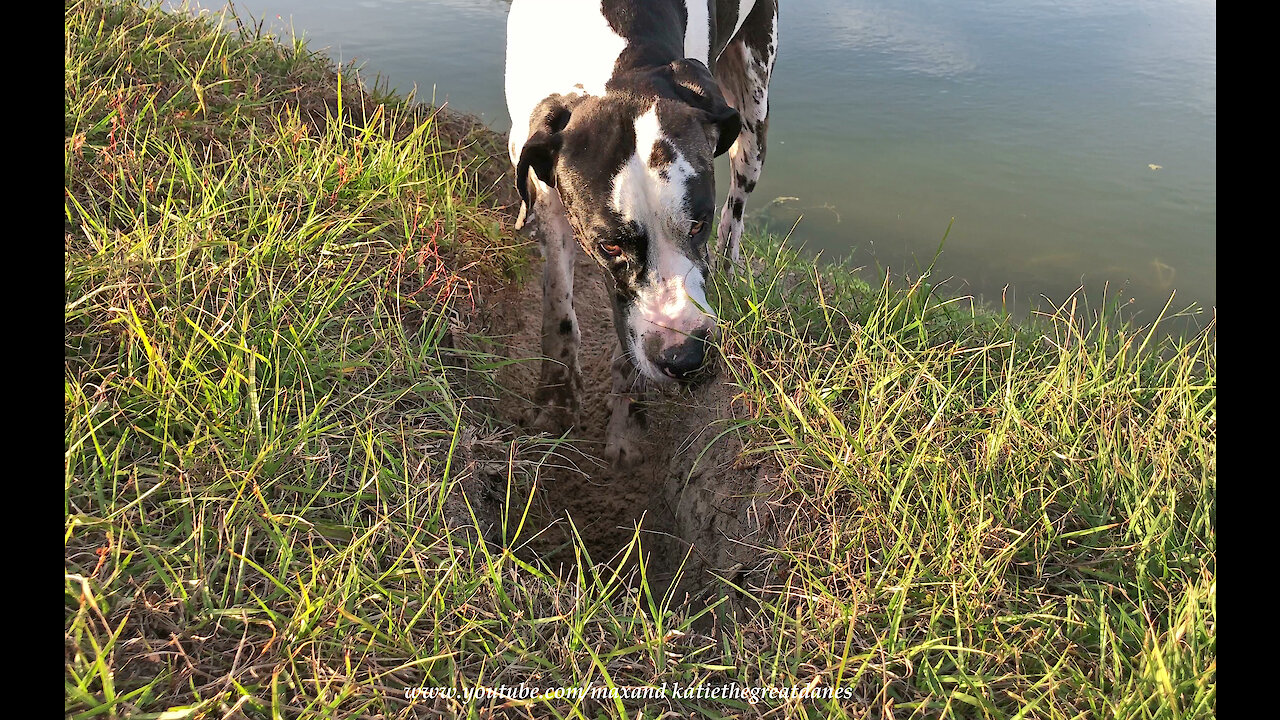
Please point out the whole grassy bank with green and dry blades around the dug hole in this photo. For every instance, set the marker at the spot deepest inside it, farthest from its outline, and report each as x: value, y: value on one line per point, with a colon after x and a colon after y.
x: 273, y: 431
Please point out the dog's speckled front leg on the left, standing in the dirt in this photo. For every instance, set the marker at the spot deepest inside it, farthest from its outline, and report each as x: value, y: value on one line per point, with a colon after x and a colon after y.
x: 561, y: 384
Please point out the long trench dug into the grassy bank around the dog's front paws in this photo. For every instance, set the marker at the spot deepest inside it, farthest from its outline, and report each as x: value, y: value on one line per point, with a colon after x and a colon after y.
x: 702, y: 509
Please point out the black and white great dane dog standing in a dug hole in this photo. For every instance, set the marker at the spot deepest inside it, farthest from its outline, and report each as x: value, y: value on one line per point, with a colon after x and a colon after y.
x: 618, y: 110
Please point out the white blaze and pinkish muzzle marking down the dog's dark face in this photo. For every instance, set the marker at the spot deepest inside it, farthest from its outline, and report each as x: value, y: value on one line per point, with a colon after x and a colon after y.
x: 670, y: 302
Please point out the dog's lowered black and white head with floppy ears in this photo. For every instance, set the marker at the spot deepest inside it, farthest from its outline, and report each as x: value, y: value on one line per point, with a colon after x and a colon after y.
x: 634, y: 171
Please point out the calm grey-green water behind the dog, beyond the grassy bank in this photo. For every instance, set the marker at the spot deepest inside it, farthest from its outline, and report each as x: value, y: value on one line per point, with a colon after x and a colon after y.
x: 1072, y: 142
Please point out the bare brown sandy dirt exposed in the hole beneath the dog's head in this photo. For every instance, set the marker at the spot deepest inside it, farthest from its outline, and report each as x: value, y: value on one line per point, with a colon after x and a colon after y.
x: 696, y: 502
